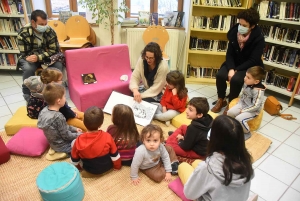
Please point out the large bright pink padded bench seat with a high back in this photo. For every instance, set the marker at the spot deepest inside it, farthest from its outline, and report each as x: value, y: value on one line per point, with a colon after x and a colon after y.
x: 108, y: 63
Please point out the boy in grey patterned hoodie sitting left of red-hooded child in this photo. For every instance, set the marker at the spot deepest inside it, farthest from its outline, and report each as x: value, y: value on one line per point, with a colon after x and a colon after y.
x: 58, y: 133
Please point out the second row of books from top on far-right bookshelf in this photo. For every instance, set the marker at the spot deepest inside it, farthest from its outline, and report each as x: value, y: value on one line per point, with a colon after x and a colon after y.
x: 279, y: 33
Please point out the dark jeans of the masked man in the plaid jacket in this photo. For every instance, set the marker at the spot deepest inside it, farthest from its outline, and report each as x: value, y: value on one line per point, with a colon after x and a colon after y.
x: 29, y: 69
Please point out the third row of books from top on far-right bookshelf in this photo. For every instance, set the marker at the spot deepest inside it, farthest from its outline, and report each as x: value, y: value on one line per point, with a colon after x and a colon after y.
x: 282, y: 55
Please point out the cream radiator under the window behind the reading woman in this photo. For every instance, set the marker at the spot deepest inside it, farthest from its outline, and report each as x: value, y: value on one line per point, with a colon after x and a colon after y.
x: 133, y: 37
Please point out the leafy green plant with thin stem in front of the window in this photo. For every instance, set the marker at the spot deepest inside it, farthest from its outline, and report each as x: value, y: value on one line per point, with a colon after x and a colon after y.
x: 106, y: 12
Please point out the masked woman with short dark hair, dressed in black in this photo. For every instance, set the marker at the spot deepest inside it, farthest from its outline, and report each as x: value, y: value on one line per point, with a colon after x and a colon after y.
x: 245, y: 48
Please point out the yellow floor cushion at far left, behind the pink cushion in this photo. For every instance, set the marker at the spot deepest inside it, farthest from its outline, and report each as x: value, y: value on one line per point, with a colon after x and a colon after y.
x: 18, y: 121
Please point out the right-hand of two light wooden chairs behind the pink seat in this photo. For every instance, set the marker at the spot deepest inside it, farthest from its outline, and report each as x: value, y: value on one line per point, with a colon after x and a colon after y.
x: 78, y: 31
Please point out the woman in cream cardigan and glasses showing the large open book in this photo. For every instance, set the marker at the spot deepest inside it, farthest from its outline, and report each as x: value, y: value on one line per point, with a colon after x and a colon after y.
x: 149, y: 76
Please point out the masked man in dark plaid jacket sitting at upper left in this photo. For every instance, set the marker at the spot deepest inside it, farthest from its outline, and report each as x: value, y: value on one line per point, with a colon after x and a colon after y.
x: 37, y: 42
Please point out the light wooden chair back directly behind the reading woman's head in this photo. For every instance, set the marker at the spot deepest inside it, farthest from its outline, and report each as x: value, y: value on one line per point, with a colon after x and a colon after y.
x: 158, y: 34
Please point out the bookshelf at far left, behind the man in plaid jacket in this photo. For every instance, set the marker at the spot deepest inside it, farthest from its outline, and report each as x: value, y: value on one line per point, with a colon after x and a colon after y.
x: 12, y: 18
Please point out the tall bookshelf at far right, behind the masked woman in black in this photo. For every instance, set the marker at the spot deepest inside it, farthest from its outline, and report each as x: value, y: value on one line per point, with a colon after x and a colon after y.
x: 278, y: 18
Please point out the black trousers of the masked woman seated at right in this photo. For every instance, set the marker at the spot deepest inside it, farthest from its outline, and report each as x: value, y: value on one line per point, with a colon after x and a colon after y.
x: 236, y: 83
